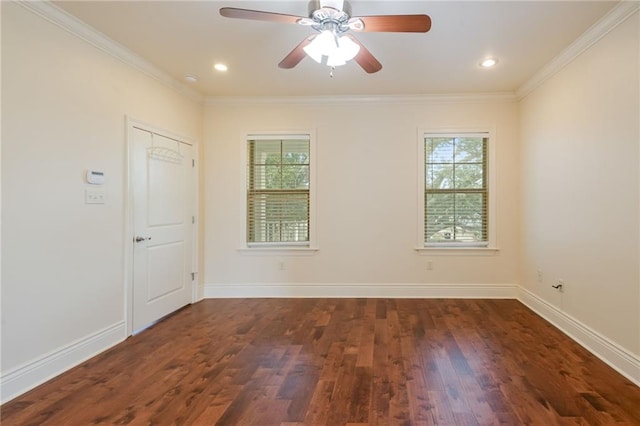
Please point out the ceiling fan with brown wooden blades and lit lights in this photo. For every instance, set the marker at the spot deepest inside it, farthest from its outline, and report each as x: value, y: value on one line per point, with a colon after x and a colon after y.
x: 332, y: 21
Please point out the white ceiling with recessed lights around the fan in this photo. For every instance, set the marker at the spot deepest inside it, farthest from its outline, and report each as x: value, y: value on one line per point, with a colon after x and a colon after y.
x: 188, y: 37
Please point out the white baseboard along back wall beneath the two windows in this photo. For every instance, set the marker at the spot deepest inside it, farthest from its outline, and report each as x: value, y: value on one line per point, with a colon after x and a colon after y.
x: 398, y: 291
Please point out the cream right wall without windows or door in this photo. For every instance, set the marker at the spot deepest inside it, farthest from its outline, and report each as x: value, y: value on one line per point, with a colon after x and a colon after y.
x: 580, y: 184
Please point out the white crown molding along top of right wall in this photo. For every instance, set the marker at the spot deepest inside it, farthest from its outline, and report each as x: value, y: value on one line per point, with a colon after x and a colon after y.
x: 606, y: 24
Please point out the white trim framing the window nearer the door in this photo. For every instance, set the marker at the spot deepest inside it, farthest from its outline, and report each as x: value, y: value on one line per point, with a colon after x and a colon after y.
x: 279, y: 248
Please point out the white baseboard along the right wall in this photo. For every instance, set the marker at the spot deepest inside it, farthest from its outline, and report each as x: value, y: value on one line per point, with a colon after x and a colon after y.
x: 621, y: 360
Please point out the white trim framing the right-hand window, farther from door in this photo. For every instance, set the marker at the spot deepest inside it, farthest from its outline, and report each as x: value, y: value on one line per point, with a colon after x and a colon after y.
x: 422, y: 247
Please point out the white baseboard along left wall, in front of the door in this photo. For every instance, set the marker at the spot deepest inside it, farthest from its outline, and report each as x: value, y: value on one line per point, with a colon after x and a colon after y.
x: 27, y: 376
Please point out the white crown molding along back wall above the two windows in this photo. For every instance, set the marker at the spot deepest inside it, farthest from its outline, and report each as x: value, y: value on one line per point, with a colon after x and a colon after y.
x: 362, y: 99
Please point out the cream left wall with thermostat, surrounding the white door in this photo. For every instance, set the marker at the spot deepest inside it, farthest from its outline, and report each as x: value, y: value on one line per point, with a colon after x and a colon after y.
x: 64, y: 104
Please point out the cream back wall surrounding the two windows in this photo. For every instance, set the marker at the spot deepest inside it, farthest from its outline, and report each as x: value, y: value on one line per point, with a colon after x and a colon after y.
x: 367, y: 197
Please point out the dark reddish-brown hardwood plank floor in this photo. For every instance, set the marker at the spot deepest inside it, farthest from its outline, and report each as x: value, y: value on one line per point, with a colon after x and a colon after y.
x: 336, y: 362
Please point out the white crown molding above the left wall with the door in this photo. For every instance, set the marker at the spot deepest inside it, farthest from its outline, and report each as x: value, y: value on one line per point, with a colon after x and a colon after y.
x: 73, y: 25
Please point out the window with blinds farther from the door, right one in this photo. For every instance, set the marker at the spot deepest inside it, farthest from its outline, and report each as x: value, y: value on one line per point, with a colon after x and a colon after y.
x: 456, y: 191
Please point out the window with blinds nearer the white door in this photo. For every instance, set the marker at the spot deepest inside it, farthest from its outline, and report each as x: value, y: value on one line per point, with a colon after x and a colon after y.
x: 278, y: 190
